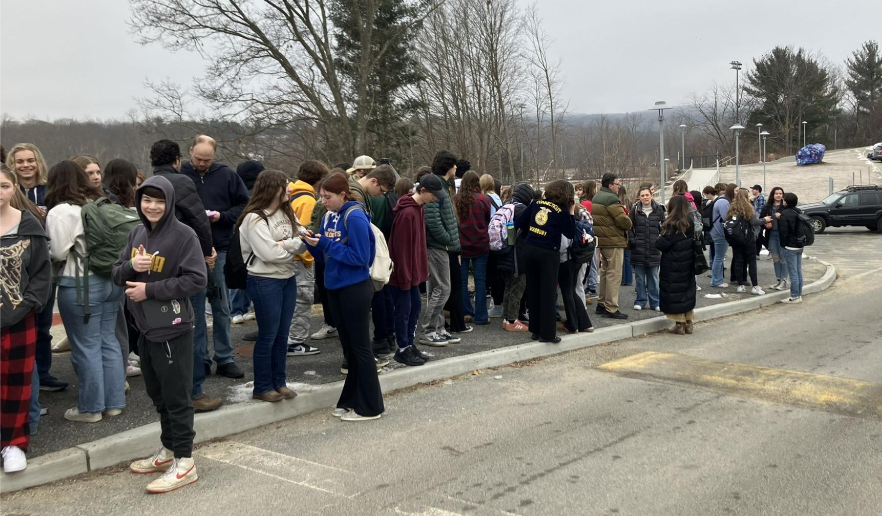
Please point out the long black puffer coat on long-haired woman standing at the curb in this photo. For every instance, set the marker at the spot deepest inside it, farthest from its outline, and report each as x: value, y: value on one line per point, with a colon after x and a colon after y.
x: 677, y: 272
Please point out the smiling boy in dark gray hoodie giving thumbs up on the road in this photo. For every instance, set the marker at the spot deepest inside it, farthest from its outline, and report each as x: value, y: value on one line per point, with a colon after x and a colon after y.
x: 162, y: 266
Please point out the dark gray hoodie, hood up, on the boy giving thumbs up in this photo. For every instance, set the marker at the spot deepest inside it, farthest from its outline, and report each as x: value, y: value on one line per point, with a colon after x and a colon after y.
x: 178, y: 270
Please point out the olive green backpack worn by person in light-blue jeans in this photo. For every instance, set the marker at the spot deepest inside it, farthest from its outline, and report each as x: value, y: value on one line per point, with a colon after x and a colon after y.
x: 106, y: 227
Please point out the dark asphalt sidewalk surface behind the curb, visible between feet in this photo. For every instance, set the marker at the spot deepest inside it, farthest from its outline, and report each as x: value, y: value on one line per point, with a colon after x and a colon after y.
x: 56, y: 433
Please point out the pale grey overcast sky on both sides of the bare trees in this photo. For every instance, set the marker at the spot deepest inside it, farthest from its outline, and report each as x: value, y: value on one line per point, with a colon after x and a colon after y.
x: 76, y: 58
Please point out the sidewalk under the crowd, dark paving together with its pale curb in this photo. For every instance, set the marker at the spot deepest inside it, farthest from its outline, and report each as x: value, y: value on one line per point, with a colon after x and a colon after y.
x: 316, y: 379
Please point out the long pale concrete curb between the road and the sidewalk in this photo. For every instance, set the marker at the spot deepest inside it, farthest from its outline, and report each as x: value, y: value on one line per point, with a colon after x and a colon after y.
x: 233, y: 419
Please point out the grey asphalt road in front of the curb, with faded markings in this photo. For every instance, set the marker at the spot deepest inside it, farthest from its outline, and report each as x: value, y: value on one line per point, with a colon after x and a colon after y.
x: 570, y: 435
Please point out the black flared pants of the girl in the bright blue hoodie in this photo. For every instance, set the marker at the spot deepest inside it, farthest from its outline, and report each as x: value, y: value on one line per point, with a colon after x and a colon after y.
x: 350, y: 306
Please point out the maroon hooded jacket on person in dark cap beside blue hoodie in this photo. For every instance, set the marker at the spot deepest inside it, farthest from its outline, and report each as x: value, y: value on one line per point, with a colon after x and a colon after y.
x: 407, y: 245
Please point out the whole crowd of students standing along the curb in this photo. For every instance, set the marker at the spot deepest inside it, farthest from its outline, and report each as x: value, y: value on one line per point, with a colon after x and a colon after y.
x: 141, y: 270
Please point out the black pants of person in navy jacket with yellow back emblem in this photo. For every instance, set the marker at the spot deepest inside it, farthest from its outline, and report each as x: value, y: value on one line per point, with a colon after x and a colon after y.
x: 542, y: 268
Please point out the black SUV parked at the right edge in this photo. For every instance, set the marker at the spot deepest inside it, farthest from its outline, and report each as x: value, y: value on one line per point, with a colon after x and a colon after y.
x: 854, y: 206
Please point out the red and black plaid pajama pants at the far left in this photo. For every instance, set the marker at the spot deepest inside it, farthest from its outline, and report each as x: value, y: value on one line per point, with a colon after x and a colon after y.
x: 19, y: 344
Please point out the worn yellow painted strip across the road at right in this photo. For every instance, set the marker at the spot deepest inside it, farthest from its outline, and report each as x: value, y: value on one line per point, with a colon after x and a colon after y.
x: 842, y: 395
